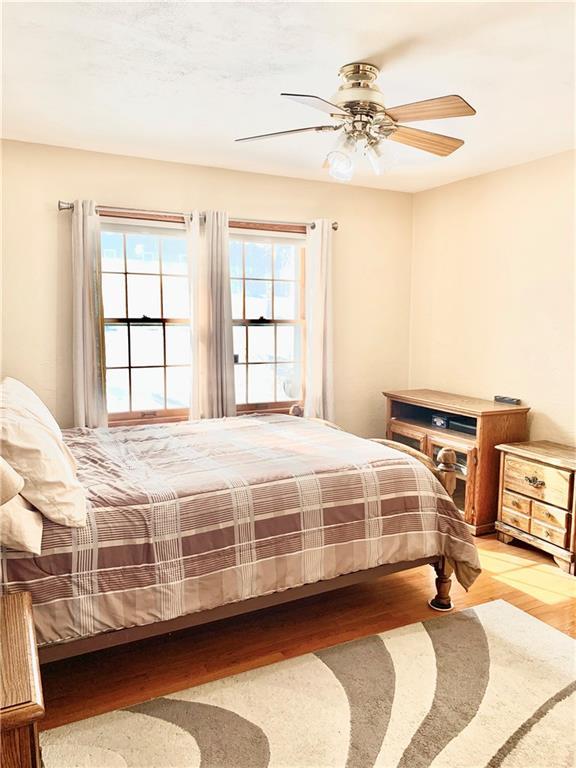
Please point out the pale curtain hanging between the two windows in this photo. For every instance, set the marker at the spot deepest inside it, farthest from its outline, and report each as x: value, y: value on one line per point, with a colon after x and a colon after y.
x: 212, y: 393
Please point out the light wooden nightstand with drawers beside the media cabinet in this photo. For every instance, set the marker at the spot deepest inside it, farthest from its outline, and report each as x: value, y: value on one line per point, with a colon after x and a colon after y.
x: 537, y: 500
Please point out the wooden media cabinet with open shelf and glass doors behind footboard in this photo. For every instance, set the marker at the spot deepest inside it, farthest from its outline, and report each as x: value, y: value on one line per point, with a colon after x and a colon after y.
x: 473, y: 428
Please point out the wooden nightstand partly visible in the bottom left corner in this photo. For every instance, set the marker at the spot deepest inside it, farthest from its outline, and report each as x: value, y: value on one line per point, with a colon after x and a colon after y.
x: 21, y: 704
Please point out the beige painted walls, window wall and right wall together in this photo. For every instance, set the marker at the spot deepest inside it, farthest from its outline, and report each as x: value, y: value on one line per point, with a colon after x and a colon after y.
x: 476, y: 278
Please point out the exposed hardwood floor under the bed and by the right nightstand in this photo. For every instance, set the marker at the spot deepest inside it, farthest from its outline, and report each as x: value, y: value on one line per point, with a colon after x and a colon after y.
x: 119, y: 677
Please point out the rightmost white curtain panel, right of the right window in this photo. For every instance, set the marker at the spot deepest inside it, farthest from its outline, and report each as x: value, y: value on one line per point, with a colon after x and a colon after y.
x: 319, y: 395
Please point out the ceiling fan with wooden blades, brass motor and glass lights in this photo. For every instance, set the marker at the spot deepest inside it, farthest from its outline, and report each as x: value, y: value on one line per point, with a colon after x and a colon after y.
x: 365, y: 122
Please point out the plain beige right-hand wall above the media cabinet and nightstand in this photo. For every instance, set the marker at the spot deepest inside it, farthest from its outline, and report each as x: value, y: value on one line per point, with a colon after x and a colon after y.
x: 492, y: 301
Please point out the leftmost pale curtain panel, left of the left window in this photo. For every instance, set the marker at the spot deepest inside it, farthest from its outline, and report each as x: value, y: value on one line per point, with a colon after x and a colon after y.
x: 87, y: 332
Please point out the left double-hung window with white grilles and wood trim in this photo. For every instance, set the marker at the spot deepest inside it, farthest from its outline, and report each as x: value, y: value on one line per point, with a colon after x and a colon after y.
x: 146, y: 323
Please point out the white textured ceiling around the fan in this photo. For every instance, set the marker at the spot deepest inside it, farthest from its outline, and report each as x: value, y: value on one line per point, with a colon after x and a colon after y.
x: 178, y: 81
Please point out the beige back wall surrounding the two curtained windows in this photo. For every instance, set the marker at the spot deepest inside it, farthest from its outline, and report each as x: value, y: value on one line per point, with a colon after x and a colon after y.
x: 371, y: 262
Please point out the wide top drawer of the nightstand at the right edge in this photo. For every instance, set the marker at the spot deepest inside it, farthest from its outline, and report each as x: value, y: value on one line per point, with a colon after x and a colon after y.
x: 538, y: 481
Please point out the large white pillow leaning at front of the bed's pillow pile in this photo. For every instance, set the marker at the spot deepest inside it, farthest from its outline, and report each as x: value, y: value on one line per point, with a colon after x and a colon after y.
x: 36, y: 453
